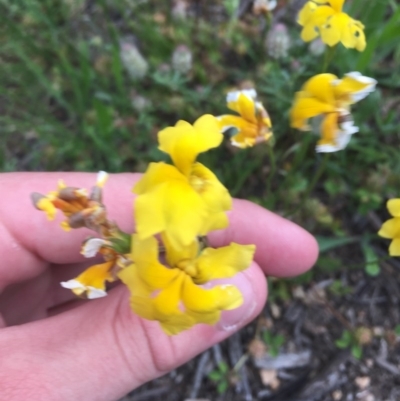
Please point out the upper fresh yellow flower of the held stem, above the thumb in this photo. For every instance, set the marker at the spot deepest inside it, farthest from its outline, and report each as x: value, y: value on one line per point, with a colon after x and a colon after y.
x: 187, y: 199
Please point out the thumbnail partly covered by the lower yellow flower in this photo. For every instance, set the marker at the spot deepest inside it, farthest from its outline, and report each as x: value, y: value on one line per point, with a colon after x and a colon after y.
x: 232, y: 320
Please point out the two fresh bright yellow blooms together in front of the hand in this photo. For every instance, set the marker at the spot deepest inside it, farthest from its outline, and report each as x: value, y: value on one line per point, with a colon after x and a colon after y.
x: 182, y: 203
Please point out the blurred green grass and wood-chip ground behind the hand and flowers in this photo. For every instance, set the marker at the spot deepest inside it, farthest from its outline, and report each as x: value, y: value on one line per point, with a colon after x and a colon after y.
x: 87, y: 84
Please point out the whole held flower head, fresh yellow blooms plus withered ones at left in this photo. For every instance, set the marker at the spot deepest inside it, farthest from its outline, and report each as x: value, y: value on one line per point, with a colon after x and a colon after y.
x: 167, y: 264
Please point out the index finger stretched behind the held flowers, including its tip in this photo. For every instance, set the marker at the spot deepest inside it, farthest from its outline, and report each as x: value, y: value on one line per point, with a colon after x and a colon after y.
x: 26, y: 238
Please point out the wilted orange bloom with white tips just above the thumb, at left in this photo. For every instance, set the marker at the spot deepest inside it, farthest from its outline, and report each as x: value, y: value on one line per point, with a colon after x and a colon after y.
x: 91, y: 283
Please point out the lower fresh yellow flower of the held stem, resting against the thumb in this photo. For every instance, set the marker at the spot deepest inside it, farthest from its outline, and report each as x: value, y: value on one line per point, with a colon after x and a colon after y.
x: 173, y: 295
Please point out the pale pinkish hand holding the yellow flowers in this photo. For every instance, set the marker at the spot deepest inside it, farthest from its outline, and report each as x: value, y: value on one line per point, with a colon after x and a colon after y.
x: 55, y: 347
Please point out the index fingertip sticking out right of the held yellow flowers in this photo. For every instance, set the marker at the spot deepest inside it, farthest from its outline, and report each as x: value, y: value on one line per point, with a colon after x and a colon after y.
x: 283, y: 248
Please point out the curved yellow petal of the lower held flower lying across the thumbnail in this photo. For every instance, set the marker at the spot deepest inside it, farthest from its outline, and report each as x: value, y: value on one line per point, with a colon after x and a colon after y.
x: 222, y: 297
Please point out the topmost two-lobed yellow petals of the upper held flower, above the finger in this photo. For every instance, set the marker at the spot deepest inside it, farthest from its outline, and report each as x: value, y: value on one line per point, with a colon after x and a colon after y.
x: 184, y: 142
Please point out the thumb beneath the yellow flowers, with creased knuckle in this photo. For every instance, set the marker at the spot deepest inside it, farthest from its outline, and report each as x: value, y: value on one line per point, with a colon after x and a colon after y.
x: 104, y: 342
